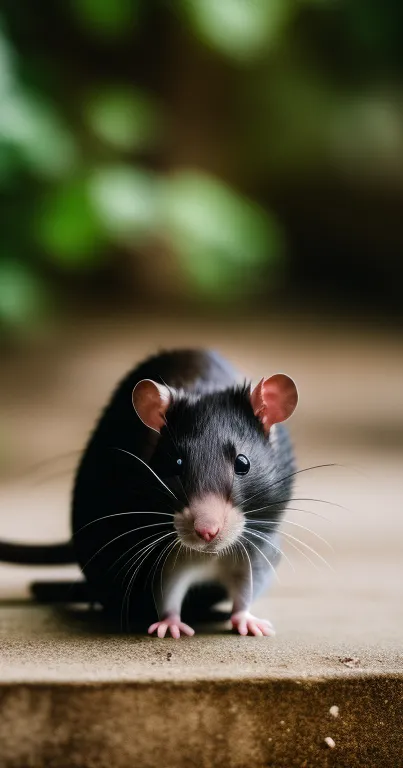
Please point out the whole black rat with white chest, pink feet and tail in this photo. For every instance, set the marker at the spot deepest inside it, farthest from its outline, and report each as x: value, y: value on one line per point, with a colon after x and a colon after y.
x: 180, y: 492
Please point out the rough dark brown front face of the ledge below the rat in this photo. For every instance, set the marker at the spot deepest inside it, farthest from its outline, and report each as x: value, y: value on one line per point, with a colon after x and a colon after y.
x: 279, y: 723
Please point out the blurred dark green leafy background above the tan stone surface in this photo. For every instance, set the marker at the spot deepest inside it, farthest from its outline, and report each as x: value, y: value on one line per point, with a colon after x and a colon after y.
x: 193, y: 153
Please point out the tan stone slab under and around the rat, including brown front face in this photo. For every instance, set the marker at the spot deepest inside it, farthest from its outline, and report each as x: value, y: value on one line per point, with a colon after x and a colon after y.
x: 75, y: 693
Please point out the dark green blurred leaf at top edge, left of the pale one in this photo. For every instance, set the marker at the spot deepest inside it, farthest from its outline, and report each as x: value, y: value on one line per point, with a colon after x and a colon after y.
x: 109, y: 18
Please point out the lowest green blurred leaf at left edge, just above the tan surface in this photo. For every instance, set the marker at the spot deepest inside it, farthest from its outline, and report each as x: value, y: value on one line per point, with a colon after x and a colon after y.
x: 21, y: 296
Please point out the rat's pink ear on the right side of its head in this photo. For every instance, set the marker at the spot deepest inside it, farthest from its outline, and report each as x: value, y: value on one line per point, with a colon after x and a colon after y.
x: 274, y: 400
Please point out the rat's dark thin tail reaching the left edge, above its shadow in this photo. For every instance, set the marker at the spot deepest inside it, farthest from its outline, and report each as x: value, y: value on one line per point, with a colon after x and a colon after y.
x: 37, y: 554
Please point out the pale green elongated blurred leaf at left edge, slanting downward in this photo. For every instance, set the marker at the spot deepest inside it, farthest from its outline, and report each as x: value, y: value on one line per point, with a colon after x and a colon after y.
x: 36, y: 131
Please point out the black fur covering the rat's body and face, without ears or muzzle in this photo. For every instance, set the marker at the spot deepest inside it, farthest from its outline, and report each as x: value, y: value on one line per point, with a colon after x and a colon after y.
x: 207, y: 426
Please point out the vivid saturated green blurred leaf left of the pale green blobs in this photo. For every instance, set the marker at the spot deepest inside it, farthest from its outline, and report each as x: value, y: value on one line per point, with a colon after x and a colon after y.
x: 68, y: 229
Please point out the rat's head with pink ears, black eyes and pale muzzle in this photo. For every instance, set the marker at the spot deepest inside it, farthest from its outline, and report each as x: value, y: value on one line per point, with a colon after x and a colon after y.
x: 225, y: 453
